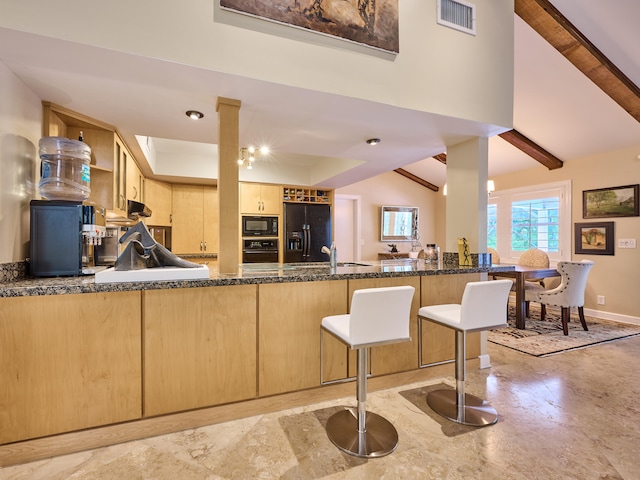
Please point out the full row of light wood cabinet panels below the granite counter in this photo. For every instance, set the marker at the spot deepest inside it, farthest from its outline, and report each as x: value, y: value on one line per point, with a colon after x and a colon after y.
x: 72, y: 362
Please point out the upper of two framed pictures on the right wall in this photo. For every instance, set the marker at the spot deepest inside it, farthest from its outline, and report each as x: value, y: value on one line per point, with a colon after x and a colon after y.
x: 611, y: 202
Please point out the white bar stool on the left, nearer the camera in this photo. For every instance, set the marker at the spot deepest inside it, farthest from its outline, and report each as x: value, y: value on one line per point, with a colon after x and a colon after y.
x: 378, y: 316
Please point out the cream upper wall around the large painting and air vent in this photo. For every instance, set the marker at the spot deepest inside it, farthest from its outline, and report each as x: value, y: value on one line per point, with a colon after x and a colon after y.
x: 438, y: 69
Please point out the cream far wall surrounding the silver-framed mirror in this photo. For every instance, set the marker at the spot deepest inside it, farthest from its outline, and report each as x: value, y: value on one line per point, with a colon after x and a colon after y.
x: 391, y: 189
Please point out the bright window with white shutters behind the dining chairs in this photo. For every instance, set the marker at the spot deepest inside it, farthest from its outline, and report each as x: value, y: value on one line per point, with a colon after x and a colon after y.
x: 531, y: 217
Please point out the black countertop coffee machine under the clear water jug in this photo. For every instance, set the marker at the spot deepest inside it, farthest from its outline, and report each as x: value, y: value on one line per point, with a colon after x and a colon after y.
x: 63, y: 236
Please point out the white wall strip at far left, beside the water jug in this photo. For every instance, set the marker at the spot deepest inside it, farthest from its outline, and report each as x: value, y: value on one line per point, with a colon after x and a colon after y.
x: 20, y: 130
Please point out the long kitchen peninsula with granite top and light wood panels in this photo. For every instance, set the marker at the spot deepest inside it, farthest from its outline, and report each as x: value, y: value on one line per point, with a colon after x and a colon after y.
x: 106, y: 363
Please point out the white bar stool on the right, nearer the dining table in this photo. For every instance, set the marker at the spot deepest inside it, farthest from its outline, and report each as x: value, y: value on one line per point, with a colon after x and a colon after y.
x: 484, y: 307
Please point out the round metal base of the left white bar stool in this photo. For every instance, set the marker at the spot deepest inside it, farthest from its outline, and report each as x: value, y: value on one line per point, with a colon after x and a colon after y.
x: 380, y: 438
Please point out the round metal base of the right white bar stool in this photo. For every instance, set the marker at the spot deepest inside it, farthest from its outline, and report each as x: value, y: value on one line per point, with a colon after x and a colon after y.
x: 475, y: 412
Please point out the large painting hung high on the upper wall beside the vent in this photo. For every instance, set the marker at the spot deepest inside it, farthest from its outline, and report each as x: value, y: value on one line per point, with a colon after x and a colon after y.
x: 369, y: 22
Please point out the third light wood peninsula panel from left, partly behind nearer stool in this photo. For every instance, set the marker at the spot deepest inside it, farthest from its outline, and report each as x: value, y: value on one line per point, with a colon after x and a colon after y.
x: 289, y: 325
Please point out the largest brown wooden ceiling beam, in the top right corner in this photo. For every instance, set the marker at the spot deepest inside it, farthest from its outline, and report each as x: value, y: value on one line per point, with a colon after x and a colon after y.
x: 545, y: 19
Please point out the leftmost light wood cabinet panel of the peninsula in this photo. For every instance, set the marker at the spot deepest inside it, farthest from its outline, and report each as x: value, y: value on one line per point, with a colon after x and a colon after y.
x: 69, y: 362
